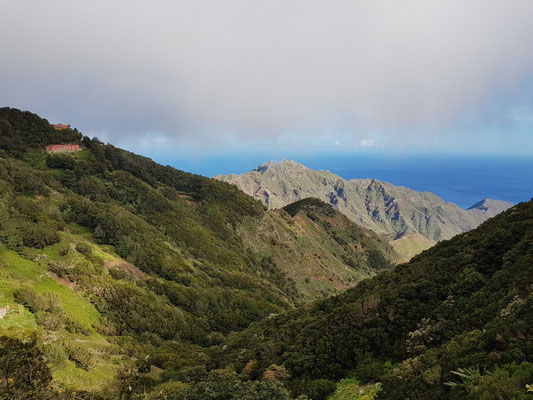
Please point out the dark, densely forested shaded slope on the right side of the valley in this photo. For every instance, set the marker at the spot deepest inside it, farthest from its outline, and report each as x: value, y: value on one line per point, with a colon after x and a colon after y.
x: 456, y: 322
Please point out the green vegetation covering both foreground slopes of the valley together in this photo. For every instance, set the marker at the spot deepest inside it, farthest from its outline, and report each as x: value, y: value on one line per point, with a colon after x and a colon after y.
x: 127, y: 279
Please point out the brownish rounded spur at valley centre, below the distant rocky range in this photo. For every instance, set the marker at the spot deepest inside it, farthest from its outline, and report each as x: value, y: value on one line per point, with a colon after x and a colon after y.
x: 319, y: 249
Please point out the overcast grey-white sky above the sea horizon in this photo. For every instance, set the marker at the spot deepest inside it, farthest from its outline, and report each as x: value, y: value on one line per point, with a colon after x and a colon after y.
x: 450, y: 75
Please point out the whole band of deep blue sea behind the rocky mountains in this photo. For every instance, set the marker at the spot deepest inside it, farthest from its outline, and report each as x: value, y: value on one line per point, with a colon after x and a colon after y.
x: 462, y: 179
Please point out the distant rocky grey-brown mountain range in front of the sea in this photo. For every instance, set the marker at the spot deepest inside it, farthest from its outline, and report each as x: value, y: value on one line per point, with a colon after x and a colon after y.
x: 411, y: 220
